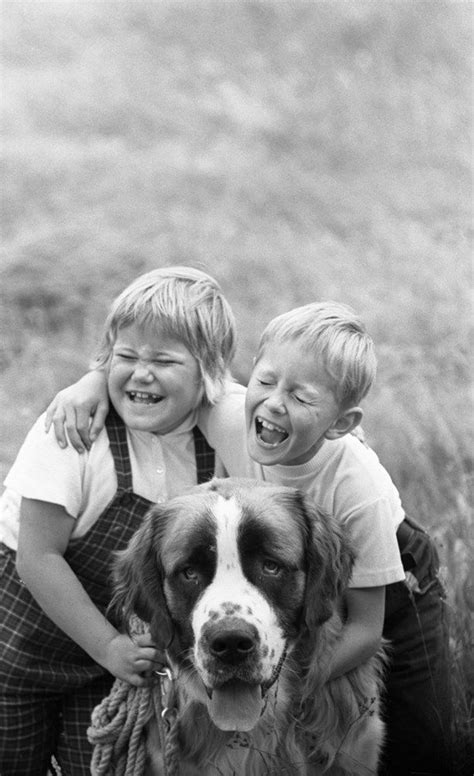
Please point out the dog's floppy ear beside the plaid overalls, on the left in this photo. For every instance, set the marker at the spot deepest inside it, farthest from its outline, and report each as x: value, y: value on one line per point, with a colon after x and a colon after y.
x: 138, y: 581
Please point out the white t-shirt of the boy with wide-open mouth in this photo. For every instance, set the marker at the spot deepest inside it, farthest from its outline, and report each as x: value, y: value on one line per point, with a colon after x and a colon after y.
x: 345, y: 479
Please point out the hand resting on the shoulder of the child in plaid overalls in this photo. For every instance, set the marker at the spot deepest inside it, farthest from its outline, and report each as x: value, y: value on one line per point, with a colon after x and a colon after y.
x: 73, y: 409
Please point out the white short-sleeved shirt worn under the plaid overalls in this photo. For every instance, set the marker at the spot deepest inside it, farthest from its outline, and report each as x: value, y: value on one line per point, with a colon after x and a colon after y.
x: 162, y: 467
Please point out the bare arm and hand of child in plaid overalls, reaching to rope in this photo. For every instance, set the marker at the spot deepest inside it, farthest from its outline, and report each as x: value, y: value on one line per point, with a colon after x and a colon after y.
x: 45, y: 530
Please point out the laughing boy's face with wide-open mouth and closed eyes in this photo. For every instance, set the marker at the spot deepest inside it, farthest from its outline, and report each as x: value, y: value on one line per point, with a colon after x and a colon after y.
x: 290, y: 405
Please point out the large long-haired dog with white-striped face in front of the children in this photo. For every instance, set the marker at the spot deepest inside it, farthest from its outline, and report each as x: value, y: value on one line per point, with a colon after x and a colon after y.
x: 241, y: 583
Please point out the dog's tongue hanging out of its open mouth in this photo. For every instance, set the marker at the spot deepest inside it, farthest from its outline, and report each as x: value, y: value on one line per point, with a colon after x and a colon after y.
x: 236, y: 706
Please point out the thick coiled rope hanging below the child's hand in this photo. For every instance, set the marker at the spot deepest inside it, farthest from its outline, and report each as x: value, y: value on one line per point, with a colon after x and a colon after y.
x: 117, y: 731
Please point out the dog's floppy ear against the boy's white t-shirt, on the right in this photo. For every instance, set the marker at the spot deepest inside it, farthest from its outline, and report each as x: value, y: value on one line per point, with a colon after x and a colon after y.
x: 329, y: 564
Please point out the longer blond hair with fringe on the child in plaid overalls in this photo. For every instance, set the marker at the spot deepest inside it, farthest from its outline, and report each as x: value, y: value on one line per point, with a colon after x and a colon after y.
x: 187, y: 304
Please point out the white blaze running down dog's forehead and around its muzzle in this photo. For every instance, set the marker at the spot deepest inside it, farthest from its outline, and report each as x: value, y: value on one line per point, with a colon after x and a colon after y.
x: 230, y: 586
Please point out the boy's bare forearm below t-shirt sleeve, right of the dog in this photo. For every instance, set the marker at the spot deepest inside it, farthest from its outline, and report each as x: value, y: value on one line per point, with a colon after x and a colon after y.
x: 362, y: 630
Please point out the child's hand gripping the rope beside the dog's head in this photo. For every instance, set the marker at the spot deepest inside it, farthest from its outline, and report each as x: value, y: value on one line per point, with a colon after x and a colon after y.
x: 132, y: 660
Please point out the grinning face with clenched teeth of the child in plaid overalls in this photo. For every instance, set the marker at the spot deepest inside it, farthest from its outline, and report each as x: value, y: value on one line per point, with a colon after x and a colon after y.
x: 154, y: 382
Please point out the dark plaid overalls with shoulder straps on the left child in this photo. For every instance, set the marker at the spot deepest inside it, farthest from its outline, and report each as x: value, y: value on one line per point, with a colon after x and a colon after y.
x: 44, y: 675
